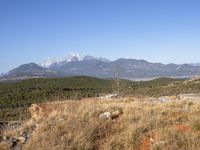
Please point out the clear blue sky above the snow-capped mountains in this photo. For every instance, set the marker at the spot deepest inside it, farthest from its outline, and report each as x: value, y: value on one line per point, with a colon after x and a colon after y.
x: 156, y: 30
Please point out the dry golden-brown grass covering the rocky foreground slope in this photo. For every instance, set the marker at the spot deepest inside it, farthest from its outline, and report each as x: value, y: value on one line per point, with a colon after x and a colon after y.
x: 75, y: 125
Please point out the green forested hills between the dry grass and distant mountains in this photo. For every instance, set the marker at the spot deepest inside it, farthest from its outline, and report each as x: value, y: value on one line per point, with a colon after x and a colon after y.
x: 19, y: 95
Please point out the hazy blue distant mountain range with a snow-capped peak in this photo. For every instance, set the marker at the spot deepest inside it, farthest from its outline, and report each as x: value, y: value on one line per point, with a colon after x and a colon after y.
x: 76, y: 65
